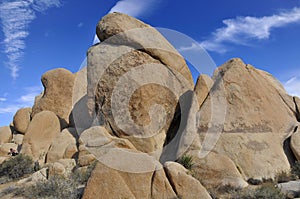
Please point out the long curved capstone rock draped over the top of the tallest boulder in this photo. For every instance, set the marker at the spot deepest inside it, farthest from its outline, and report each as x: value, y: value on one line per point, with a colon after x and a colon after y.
x: 121, y: 29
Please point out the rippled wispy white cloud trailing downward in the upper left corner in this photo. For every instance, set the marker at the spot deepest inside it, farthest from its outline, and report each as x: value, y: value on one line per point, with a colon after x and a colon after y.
x: 16, y: 16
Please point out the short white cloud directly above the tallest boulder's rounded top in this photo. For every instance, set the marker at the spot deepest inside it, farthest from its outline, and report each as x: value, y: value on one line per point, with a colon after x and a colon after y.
x: 134, y: 8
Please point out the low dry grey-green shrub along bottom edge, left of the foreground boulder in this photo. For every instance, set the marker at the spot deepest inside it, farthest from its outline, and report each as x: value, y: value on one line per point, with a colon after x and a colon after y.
x: 56, y: 187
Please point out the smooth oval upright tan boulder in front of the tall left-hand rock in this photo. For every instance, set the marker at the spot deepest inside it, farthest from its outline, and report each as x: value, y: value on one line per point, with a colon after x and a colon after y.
x: 40, y: 134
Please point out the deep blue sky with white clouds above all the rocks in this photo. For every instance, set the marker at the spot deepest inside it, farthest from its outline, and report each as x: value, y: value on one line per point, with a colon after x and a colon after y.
x: 39, y: 35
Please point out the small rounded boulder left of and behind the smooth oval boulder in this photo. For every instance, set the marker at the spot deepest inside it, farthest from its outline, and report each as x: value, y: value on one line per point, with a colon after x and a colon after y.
x: 22, y: 119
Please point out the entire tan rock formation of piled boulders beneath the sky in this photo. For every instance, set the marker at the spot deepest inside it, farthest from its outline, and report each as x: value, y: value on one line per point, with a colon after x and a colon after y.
x: 135, y: 110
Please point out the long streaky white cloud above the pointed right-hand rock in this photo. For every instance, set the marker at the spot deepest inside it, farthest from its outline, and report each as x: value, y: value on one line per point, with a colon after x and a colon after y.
x: 243, y: 29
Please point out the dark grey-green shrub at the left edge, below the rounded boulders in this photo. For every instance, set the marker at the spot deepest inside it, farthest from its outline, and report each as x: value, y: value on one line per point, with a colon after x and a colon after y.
x: 16, y: 167
